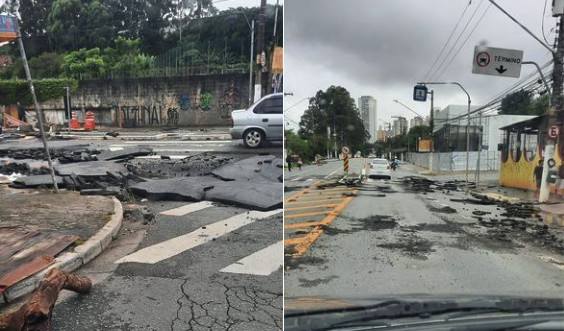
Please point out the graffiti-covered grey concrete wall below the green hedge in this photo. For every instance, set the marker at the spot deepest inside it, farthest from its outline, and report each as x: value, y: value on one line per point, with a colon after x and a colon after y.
x: 156, y: 102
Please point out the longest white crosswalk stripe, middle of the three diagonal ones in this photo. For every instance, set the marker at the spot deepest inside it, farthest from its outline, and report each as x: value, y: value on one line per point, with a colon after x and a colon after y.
x: 167, y: 249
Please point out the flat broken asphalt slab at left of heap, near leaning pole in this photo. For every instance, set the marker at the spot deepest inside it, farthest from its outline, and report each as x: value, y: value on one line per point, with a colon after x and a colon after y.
x: 91, y: 169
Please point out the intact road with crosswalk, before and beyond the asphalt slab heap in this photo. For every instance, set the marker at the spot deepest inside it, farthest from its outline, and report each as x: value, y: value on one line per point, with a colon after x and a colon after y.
x: 197, y: 266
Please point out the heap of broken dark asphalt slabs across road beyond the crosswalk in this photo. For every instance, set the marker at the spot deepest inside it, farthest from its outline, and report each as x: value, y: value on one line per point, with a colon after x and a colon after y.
x: 253, y: 183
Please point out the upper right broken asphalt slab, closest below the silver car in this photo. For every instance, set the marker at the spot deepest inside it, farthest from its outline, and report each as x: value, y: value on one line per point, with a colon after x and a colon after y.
x: 254, y: 169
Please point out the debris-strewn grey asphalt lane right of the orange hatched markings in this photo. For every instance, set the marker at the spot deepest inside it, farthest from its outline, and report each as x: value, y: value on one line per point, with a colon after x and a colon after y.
x: 438, y: 239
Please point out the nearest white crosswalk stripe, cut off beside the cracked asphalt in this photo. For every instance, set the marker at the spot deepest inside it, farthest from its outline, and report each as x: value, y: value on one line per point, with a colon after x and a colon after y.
x: 262, y: 263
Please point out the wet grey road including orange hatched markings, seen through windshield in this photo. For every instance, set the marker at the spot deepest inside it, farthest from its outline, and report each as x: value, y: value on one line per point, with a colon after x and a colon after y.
x: 383, y: 238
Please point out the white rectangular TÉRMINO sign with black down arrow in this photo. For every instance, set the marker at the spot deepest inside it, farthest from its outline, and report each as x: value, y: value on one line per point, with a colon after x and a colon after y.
x: 497, y: 62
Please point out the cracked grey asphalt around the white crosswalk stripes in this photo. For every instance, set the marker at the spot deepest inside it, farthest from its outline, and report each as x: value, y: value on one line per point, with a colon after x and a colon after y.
x: 184, y: 292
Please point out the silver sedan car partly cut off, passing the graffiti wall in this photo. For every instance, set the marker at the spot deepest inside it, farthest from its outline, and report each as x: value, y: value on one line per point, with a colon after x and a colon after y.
x: 261, y: 122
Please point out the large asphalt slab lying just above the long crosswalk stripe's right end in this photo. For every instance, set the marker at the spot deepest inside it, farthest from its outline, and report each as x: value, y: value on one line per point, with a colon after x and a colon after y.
x: 258, y: 196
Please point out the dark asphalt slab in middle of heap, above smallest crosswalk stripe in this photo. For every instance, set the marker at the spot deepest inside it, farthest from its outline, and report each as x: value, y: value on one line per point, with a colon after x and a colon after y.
x: 175, y: 189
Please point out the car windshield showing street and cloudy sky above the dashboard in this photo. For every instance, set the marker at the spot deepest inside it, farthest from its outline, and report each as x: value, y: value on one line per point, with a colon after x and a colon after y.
x: 456, y: 98
